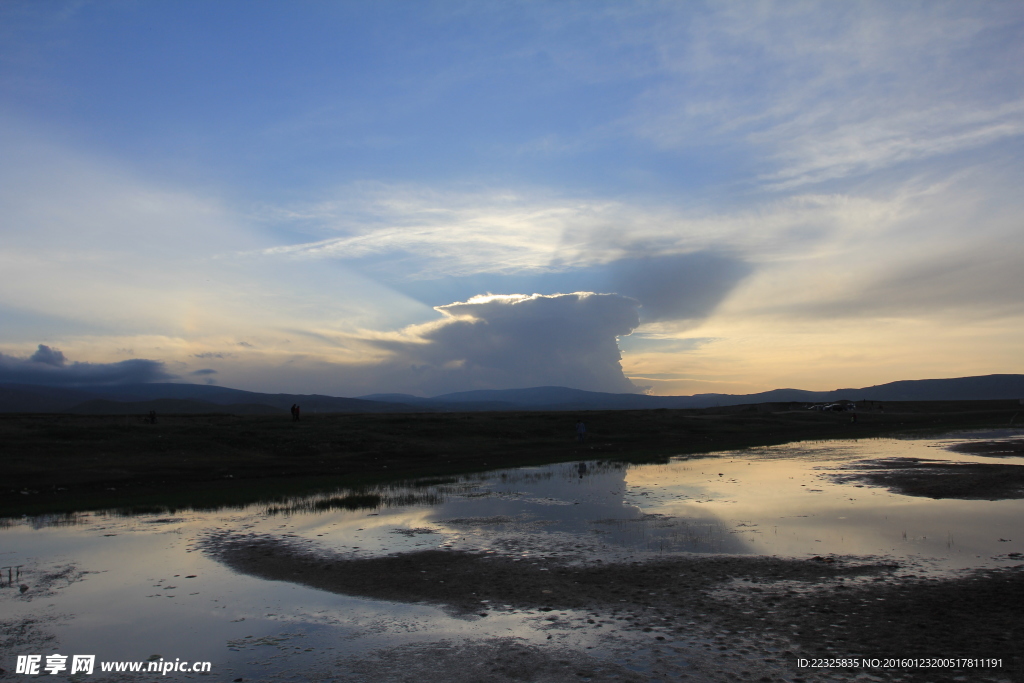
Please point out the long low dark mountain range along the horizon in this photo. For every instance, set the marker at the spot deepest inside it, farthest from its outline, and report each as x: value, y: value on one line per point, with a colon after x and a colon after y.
x: 200, y: 399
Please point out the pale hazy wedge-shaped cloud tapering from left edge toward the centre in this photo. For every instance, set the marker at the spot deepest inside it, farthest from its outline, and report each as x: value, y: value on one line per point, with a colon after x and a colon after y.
x: 94, y: 246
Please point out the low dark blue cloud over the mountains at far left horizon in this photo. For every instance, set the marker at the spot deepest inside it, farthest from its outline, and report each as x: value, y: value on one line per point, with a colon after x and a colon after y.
x: 49, y: 366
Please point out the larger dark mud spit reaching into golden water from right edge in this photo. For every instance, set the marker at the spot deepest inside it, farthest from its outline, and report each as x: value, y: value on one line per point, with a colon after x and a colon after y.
x: 933, y: 479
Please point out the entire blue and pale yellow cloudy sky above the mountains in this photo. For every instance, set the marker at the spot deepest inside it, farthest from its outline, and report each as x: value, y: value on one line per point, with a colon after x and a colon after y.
x: 354, y: 198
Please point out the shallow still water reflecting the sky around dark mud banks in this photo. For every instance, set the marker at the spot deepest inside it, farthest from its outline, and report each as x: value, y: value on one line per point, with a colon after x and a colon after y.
x: 125, y: 588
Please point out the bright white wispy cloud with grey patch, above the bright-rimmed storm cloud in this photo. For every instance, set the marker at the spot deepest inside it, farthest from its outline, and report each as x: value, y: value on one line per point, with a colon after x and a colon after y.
x: 440, y: 247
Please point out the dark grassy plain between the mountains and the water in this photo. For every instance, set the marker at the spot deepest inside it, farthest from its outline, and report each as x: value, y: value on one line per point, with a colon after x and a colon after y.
x: 64, y: 463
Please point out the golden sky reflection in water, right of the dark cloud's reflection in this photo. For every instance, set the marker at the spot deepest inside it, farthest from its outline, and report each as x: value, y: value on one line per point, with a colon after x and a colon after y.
x: 782, y: 502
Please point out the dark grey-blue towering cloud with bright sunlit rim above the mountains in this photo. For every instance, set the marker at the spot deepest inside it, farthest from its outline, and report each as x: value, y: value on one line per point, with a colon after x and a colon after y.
x: 519, y: 341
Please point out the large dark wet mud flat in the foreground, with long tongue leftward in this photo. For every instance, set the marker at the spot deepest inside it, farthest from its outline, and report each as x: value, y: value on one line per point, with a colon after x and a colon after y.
x: 719, y: 618
